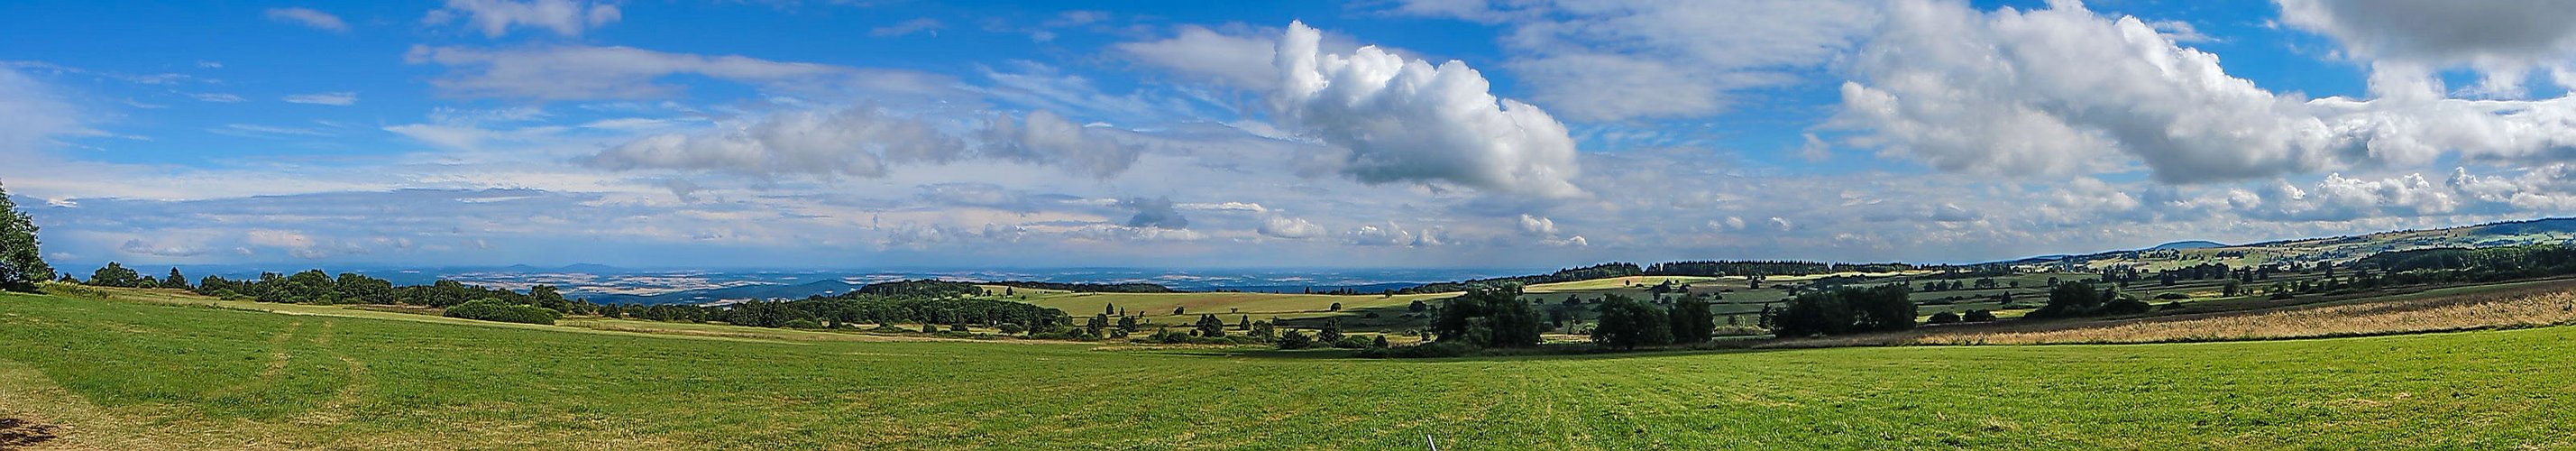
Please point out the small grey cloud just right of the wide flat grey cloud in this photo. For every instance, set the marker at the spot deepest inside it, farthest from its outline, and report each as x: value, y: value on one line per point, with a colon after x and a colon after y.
x: 1050, y: 140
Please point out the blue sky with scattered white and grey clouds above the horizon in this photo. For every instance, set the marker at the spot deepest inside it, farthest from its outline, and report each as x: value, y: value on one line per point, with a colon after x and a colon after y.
x: 1266, y: 135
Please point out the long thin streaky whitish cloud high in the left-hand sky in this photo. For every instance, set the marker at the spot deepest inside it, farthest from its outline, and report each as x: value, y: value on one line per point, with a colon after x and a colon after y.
x: 596, y: 73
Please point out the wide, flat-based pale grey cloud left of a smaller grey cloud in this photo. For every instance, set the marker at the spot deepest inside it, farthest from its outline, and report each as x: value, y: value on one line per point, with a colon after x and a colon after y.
x: 857, y: 140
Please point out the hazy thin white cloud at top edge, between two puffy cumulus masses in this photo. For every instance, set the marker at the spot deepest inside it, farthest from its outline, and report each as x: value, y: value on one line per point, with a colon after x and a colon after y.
x: 1611, y: 61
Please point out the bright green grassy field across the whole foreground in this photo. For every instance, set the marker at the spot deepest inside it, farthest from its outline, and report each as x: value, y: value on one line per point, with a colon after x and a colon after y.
x: 146, y: 378
